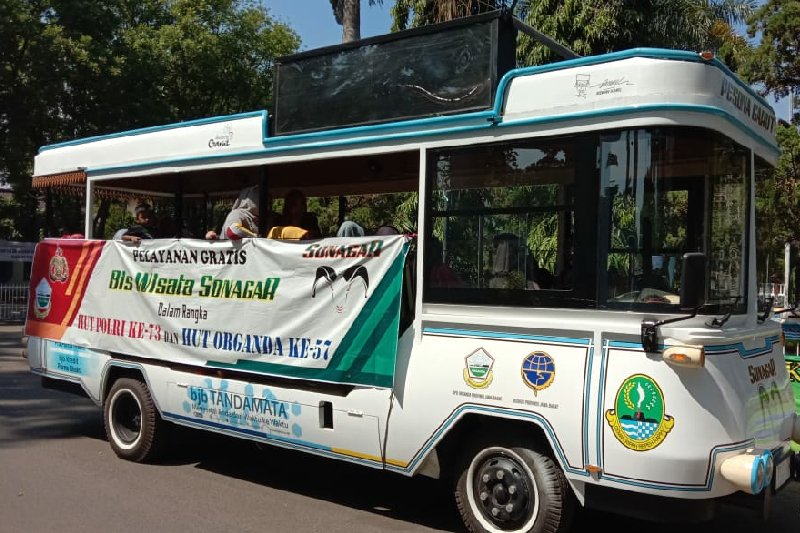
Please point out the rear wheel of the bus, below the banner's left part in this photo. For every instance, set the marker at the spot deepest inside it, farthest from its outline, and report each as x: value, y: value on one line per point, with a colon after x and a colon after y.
x: 133, y: 426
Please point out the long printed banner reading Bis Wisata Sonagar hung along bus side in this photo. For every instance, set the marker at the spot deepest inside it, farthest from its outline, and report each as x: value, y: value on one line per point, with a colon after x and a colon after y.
x: 325, y: 310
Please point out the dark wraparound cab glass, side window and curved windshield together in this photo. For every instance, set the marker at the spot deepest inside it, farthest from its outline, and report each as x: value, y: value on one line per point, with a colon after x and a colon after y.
x: 589, y: 220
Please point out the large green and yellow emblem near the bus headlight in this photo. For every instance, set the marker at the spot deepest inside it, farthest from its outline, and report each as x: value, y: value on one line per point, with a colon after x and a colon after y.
x: 638, y: 419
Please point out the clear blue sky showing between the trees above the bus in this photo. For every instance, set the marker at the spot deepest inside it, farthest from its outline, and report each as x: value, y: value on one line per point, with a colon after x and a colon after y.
x: 314, y: 22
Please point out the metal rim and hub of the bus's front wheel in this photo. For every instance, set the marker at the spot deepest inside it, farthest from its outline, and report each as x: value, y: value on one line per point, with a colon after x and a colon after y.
x: 502, y: 492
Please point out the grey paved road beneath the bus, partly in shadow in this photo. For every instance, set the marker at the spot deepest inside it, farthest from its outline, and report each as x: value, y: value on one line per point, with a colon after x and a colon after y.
x: 58, y: 473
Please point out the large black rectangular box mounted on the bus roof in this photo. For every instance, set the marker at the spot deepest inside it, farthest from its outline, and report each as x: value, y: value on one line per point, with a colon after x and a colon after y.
x: 441, y: 69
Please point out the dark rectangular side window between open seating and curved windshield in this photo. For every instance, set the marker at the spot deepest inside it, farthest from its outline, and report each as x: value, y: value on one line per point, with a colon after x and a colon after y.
x: 501, y: 219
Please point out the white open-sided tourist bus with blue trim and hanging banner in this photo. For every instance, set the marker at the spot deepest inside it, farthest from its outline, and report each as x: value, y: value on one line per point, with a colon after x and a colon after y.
x: 571, y: 323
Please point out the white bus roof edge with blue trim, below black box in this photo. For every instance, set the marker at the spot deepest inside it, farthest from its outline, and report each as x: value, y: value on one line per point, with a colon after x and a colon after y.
x: 633, y: 88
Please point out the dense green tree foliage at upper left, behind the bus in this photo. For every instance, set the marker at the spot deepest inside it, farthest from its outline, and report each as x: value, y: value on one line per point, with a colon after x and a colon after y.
x: 76, y: 68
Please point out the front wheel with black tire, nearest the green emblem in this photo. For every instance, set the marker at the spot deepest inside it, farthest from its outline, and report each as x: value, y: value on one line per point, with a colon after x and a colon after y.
x: 512, y: 489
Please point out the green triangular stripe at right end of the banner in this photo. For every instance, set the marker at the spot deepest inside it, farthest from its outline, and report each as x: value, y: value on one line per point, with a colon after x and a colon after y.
x: 367, y: 353
